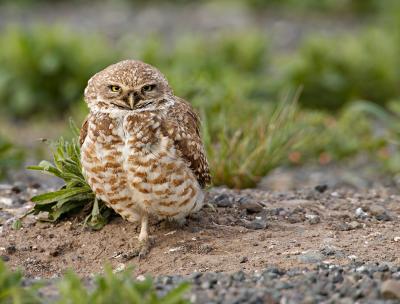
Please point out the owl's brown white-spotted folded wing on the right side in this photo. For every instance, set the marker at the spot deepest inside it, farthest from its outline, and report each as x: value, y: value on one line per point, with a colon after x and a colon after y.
x: 183, y: 125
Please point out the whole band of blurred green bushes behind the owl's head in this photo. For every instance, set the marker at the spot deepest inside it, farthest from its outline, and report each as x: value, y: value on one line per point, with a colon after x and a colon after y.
x: 43, y: 71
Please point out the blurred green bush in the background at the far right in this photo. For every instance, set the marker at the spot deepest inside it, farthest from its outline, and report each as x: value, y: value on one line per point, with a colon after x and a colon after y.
x: 337, y: 70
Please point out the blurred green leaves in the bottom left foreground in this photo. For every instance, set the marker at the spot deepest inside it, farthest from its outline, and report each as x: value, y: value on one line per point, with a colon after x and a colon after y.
x: 110, y: 287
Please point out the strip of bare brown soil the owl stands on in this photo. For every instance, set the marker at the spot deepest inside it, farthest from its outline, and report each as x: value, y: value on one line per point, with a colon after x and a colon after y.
x: 239, y: 230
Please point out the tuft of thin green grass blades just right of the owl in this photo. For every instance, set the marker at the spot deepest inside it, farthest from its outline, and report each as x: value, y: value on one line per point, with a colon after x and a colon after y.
x: 241, y: 154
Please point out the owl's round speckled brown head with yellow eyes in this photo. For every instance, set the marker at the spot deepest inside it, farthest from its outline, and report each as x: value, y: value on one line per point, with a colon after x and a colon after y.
x: 127, y: 85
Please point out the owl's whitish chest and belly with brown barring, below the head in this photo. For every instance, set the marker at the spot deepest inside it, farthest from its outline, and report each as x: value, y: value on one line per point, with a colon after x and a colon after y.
x: 133, y: 166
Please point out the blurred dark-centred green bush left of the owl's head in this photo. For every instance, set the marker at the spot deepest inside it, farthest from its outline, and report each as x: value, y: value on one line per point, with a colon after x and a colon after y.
x: 43, y: 71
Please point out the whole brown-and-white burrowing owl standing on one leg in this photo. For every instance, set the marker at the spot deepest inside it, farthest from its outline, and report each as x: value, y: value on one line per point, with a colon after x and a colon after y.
x: 141, y: 149
